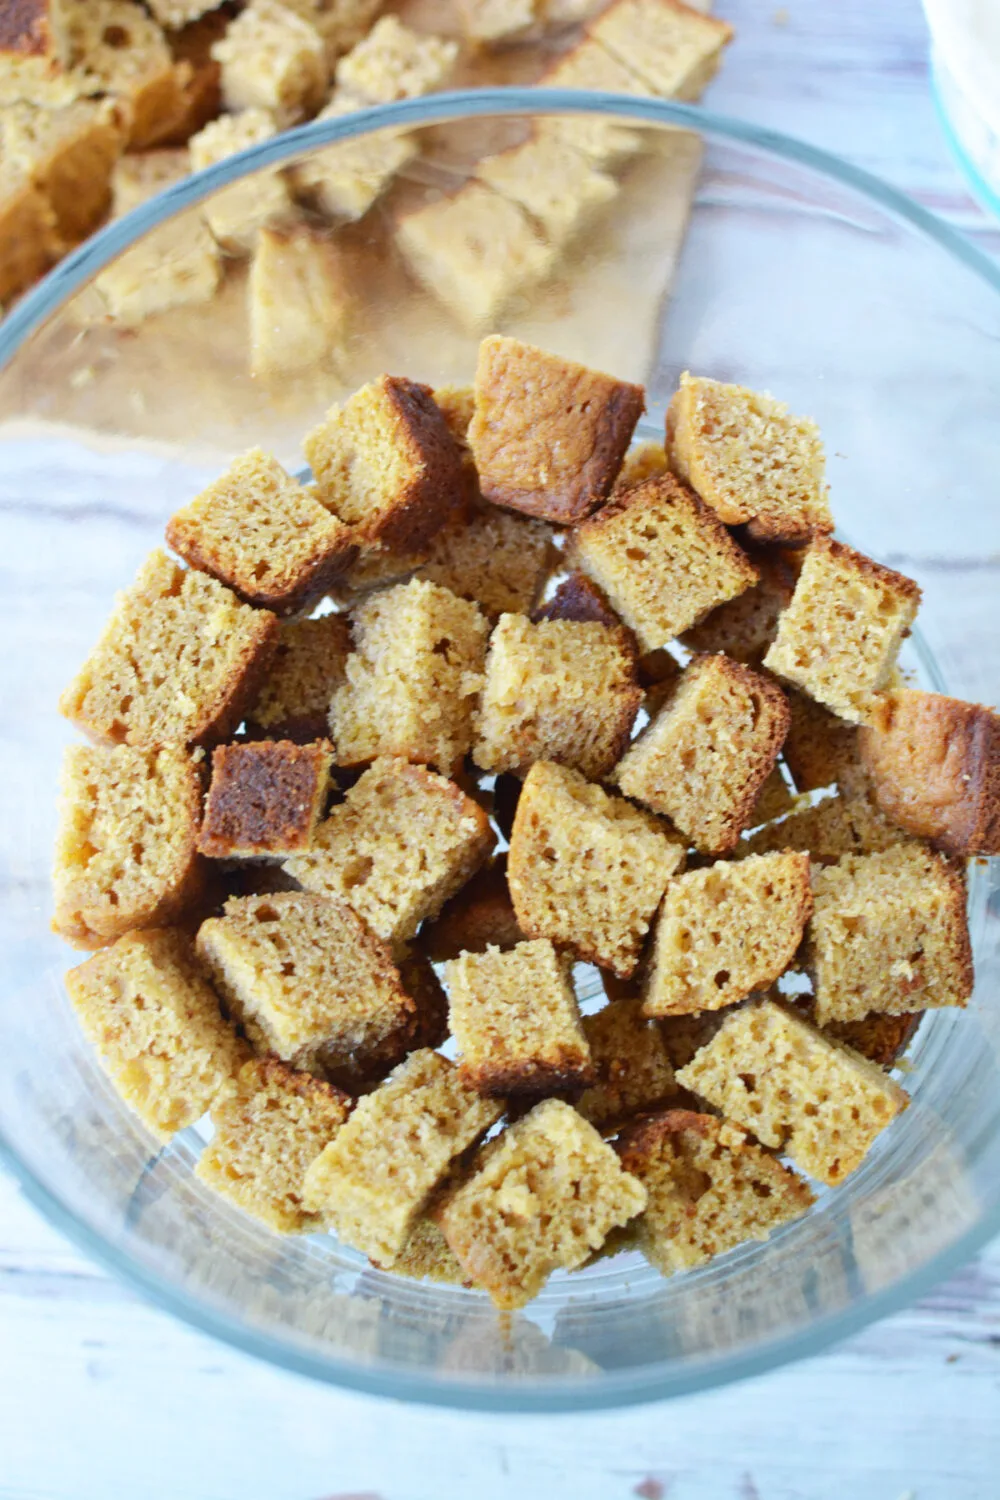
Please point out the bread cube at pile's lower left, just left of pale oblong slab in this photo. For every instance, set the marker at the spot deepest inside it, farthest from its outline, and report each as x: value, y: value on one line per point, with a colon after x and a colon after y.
x: 268, y: 1133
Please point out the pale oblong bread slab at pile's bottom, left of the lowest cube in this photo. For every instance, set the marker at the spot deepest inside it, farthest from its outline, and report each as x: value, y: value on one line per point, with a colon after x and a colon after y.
x: 376, y: 1178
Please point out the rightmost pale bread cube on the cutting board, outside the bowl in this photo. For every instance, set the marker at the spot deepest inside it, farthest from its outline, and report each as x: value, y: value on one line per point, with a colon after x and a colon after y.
x: 672, y: 47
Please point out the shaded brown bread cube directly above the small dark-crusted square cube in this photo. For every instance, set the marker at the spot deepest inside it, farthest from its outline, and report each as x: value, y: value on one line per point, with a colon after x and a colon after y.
x: 310, y: 665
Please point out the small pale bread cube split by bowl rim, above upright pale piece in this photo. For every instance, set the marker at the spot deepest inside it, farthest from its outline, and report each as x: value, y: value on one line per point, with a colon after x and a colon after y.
x: 238, y: 214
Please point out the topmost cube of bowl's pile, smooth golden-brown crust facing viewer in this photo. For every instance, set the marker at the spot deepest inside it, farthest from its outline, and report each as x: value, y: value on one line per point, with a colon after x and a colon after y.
x: 548, y: 436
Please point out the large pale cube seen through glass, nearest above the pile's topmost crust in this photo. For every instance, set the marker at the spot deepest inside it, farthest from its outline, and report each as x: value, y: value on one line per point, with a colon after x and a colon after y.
x: 476, y: 253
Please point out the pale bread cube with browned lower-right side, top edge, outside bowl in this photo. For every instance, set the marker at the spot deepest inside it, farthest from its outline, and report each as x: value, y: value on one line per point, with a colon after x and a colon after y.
x: 272, y: 59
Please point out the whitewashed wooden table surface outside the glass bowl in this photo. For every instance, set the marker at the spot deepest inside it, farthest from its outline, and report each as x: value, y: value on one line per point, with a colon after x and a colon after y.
x: 103, y: 1397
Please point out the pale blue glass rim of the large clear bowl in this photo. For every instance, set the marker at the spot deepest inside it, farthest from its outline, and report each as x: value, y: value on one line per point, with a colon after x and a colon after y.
x: 609, y: 1390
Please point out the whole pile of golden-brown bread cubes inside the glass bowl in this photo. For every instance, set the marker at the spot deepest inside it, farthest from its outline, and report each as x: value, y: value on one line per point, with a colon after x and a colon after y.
x: 380, y: 761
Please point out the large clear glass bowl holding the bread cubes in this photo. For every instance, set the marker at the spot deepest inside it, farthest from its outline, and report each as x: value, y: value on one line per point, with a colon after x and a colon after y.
x: 798, y: 275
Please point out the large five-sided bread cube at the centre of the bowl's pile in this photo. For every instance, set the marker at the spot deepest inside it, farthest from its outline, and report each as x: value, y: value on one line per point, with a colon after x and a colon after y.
x: 588, y: 871
